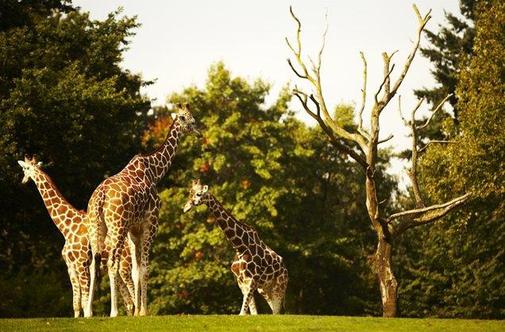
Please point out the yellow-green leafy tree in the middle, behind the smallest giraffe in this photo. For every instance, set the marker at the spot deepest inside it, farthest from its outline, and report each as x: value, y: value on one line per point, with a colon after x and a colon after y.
x: 273, y: 173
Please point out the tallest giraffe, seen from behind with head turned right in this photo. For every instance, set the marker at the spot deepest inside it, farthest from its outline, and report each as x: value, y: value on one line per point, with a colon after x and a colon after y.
x: 126, y: 205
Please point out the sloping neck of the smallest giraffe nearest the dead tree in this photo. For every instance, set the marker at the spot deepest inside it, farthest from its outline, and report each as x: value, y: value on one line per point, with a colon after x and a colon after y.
x: 236, y: 232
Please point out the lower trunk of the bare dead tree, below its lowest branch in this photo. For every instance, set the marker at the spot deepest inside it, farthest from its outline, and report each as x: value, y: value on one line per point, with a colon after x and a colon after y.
x: 387, y: 281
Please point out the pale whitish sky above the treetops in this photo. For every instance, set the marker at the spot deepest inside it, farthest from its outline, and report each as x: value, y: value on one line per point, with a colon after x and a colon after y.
x: 179, y: 40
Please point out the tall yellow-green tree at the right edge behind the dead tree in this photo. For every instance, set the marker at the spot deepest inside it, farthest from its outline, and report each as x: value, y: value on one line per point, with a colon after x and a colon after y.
x: 459, y: 269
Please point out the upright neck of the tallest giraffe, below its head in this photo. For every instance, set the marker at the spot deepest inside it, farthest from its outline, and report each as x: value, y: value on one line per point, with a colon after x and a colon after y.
x: 158, y: 162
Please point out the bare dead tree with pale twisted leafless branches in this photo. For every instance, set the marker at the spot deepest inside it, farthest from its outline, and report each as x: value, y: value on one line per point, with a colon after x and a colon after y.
x: 362, y: 146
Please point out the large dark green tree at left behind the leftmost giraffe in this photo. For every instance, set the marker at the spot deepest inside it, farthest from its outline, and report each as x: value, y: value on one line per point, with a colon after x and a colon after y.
x: 63, y: 97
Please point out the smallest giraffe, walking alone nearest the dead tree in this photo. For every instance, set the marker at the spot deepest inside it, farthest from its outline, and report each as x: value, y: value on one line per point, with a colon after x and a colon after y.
x: 256, y: 266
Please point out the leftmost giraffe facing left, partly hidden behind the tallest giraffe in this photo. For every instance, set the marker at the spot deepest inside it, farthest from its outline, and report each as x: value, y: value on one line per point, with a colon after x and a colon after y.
x: 76, y: 251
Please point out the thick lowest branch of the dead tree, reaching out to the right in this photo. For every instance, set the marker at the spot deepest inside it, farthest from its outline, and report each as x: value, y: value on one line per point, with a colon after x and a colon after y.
x: 416, y: 217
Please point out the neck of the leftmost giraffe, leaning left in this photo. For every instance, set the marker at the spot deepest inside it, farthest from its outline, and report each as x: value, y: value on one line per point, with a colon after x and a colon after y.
x: 59, y: 209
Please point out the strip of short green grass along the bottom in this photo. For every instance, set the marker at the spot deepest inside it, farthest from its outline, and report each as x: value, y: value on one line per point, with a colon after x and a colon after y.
x: 249, y: 323
